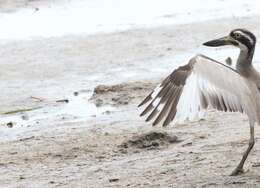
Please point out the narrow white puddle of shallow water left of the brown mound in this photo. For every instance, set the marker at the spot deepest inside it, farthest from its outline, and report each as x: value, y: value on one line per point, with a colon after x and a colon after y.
x: 78, y: 109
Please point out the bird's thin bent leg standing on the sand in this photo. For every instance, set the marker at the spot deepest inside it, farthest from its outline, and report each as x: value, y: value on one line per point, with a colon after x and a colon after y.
x: 239, y: 168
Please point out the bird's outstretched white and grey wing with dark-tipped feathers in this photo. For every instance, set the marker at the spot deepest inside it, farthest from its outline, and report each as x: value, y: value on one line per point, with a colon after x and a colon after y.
x: 202, y: 83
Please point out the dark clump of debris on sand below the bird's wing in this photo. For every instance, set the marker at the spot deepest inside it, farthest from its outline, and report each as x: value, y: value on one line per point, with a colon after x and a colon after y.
x: 151, y: 140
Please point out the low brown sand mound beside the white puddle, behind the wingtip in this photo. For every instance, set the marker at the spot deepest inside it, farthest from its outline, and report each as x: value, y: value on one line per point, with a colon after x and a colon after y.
x: 120, y: 94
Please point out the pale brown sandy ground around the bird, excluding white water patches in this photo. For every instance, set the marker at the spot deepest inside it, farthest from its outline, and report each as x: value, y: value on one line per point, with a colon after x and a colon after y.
x: 107, y: 150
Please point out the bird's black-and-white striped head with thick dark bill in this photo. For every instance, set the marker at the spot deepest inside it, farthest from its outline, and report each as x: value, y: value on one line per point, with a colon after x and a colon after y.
x: 241, y: 38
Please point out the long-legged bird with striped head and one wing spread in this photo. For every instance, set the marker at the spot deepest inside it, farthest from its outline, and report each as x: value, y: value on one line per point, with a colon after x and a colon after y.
x: 204, y: 83
